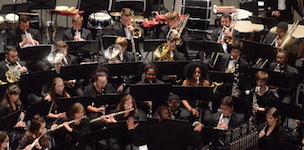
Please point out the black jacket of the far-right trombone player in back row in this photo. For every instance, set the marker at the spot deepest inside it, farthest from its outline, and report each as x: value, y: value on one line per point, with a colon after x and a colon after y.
x: 291, y: 47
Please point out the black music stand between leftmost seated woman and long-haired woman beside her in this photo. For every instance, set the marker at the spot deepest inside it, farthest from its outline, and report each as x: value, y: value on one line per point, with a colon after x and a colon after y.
x: 42, y: 108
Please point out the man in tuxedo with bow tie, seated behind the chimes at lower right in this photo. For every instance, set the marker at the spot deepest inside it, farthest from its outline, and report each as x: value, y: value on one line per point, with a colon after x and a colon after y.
x: 227, y: 118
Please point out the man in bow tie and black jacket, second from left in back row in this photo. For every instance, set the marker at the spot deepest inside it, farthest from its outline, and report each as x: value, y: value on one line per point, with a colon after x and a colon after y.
x: 77, y: 32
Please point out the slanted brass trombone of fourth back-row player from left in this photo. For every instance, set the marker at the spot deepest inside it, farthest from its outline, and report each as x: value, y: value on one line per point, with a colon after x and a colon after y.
x: 180, y: 27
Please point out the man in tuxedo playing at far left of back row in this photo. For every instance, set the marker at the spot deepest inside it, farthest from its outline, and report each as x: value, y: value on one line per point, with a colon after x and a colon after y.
x: 23, y: 36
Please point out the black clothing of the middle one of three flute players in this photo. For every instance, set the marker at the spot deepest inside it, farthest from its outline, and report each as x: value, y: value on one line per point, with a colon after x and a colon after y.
x: 63, y: 137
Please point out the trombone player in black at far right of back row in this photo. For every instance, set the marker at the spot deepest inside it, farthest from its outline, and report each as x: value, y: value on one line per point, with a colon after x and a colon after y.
x: 277, y: 39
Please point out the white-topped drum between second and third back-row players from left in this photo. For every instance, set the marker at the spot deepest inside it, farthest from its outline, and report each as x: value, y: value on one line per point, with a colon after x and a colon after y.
x: 99, y: 20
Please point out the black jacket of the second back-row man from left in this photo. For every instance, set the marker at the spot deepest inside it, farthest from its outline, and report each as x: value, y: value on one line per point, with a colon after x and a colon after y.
x: 68, y: 35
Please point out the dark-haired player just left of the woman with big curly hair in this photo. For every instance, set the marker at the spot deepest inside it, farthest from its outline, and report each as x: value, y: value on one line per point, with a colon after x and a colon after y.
x: 150, y: 76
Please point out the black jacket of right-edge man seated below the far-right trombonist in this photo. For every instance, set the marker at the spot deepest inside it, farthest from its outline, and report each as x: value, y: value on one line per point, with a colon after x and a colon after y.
x: 287, y: 94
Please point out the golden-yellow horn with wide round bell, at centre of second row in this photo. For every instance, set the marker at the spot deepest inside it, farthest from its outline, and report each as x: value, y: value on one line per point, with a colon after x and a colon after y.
x: 162, y: 53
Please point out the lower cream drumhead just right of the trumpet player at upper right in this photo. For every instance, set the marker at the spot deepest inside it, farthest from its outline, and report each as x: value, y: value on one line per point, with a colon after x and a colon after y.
x: 245, y: 26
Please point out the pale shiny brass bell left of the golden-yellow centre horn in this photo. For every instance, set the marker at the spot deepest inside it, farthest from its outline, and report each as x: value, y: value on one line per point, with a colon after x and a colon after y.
x: 112, y: 52
